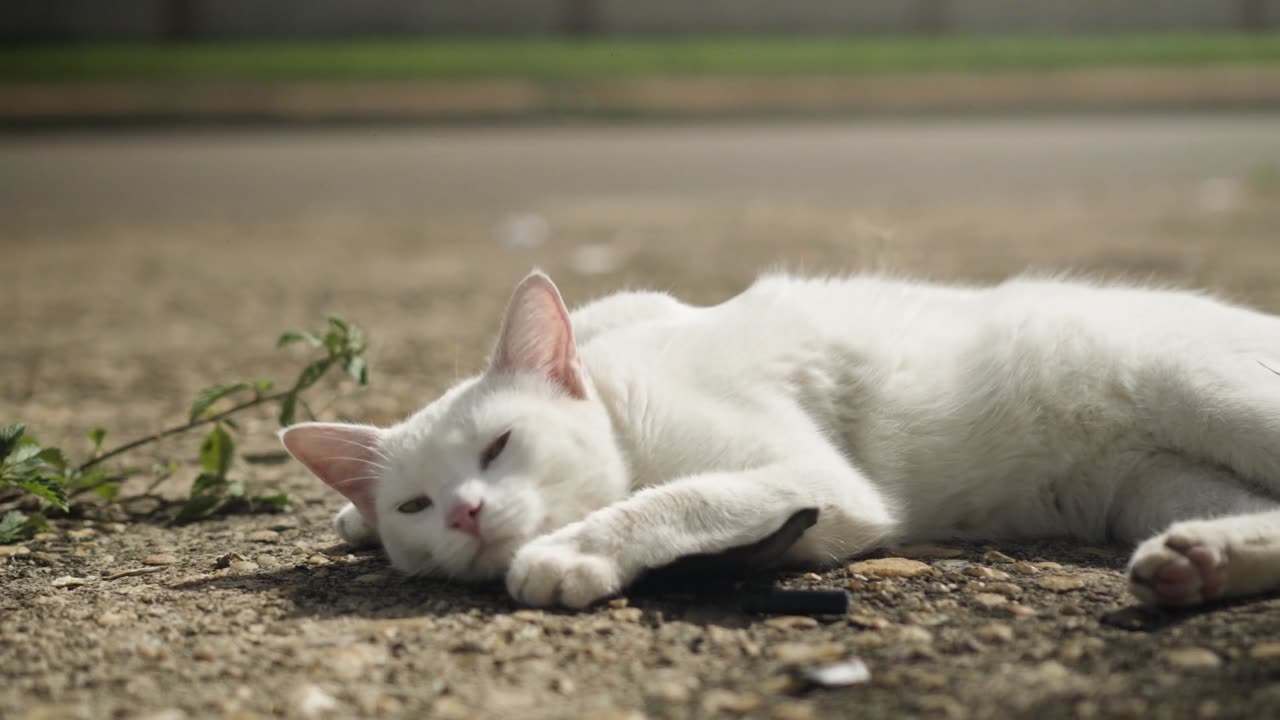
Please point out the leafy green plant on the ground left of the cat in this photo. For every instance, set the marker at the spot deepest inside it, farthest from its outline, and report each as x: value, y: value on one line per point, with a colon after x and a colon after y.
x: 31, y: 473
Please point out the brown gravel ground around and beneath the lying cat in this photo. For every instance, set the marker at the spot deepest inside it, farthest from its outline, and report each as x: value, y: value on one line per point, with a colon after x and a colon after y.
x: 120, y: 322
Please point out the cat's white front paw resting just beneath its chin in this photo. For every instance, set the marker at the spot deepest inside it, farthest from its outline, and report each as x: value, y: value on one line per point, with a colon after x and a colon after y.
x: 555, y: 572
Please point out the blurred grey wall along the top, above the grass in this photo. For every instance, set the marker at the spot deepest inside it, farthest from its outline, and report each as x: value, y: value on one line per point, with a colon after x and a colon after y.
x: 230, y: 20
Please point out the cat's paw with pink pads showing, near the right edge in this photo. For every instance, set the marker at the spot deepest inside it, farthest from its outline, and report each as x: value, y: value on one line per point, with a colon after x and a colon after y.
x: 1183, y: 567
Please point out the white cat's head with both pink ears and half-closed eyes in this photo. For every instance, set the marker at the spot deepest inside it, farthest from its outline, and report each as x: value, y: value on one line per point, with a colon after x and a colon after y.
x: 518, y: 452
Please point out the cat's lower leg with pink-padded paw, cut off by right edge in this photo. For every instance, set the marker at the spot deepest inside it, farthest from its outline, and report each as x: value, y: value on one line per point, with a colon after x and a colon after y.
x: 1199, y: 562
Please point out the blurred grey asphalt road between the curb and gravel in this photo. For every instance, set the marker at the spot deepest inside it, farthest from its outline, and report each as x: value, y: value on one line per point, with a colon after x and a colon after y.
x: 227, y: 174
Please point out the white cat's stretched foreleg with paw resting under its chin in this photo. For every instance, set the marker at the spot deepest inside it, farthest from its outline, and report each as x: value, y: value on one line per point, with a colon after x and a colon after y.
x: 701, y: 514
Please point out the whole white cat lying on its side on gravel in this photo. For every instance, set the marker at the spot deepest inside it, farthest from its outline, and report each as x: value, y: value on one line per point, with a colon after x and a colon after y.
x: 641, y: 430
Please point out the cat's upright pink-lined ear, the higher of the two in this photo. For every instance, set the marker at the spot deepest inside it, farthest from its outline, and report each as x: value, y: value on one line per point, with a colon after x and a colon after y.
x: 537, y: 336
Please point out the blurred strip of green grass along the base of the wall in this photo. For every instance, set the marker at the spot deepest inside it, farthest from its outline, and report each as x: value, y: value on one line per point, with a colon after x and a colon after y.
x: 560, y: 61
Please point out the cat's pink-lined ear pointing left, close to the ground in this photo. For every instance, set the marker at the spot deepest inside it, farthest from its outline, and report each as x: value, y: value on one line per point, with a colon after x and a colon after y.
x: 344, y: 457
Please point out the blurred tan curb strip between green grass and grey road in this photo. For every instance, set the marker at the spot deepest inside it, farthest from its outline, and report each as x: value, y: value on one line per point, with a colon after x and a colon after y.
x: 427, y: 101
